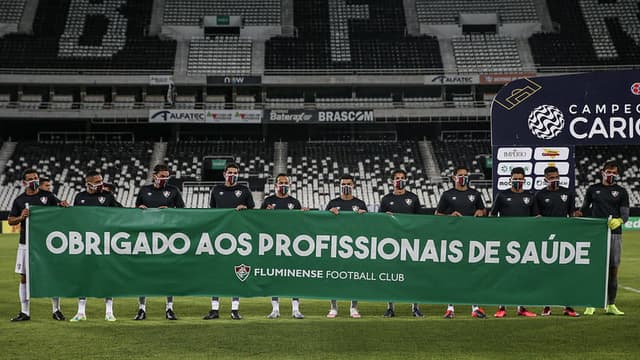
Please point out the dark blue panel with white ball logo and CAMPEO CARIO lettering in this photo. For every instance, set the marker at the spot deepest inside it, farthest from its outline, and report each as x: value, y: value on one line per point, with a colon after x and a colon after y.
x: 599, y: 108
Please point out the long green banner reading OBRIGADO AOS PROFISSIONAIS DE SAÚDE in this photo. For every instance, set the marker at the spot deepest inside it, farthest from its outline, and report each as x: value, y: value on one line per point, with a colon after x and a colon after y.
x: 98, y: 252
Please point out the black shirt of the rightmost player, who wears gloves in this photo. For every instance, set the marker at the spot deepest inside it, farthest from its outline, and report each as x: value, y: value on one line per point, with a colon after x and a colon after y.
x: 606, y: 201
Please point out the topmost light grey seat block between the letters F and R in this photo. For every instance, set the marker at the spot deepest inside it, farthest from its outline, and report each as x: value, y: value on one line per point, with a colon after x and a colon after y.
x: 448, y: 11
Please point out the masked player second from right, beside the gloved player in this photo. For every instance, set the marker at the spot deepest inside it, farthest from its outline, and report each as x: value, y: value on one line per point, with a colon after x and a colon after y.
x: 555, y: 200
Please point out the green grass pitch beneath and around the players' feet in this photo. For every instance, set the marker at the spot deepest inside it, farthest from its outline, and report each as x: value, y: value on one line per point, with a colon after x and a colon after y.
x: 315, y: 337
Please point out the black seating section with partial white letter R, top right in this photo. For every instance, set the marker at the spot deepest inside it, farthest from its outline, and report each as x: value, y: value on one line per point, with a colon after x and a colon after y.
x: 589, y: 33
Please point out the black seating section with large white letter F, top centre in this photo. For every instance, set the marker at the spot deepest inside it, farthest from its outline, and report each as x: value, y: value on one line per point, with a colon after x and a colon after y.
x: 375, y: 39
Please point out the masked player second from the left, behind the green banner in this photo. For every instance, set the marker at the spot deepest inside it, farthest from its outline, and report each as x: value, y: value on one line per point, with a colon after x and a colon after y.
x: 94, y: 195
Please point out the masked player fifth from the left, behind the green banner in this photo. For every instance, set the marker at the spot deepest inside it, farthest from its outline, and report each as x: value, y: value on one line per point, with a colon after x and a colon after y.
x: 282, y: 200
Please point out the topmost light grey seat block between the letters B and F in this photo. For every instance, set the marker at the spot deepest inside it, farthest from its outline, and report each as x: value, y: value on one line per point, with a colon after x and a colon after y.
x: 253, y: 12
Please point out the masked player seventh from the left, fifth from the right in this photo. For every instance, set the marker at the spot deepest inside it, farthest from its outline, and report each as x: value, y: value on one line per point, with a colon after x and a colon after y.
x: 402, y: 201
